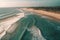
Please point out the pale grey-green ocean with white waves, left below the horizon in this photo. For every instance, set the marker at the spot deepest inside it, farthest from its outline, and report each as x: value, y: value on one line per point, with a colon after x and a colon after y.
x: 7, y: 12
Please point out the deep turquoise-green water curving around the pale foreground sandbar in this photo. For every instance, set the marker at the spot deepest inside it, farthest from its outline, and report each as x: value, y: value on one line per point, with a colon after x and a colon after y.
x: 48, y: 28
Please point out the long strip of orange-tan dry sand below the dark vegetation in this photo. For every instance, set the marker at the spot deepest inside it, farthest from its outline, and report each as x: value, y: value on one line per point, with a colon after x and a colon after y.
x: 52, y: 15
